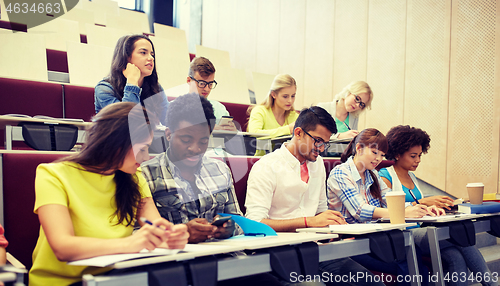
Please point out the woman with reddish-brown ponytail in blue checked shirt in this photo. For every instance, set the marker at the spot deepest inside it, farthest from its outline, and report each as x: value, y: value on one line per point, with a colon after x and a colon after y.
x: 356, y: 190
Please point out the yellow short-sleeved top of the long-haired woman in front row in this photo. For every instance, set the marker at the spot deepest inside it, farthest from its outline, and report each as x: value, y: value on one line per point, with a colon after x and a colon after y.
x: 90, y: 199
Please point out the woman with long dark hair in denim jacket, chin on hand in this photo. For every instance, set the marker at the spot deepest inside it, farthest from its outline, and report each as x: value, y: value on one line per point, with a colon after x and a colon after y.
x: 133, y: 77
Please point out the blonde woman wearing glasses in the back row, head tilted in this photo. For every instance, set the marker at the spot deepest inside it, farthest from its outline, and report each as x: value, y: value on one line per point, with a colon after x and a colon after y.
x: 347, y: 106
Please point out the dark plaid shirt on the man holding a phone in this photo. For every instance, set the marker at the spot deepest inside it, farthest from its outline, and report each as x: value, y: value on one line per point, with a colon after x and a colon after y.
x: 174, y: 196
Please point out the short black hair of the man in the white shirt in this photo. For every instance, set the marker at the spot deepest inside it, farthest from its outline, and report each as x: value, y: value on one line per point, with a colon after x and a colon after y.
x: 314, y: 115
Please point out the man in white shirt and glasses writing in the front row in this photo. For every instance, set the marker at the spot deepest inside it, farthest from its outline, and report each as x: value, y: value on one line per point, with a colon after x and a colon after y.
x: 286, y: 189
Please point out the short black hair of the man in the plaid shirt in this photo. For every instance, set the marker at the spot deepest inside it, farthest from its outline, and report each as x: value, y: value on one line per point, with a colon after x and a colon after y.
x: 192, y: 108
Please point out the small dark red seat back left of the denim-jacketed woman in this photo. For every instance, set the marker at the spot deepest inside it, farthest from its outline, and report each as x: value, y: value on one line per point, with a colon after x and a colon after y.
x: 79, y: 102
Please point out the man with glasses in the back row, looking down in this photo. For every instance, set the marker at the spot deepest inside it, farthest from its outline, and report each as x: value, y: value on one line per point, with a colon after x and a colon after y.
x: 201, y: 79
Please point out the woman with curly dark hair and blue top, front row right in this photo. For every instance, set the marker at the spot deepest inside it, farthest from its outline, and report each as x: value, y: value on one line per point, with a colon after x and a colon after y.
x: 406, y: 145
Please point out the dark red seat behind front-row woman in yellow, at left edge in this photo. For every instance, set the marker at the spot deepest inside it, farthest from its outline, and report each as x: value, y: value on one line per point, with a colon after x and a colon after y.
x: 21, y: 224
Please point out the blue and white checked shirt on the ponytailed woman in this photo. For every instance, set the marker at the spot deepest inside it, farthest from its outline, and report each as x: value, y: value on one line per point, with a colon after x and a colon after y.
x: 348, y: 195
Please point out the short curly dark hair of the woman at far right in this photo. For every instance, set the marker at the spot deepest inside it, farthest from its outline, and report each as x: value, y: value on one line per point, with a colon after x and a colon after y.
x: 403, y: 137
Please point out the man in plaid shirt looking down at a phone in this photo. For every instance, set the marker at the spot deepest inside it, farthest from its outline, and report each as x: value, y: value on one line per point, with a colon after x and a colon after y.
x: 188, y: 187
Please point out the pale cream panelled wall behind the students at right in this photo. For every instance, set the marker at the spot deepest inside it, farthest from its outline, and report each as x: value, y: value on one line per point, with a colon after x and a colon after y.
x: 430, y: 63
